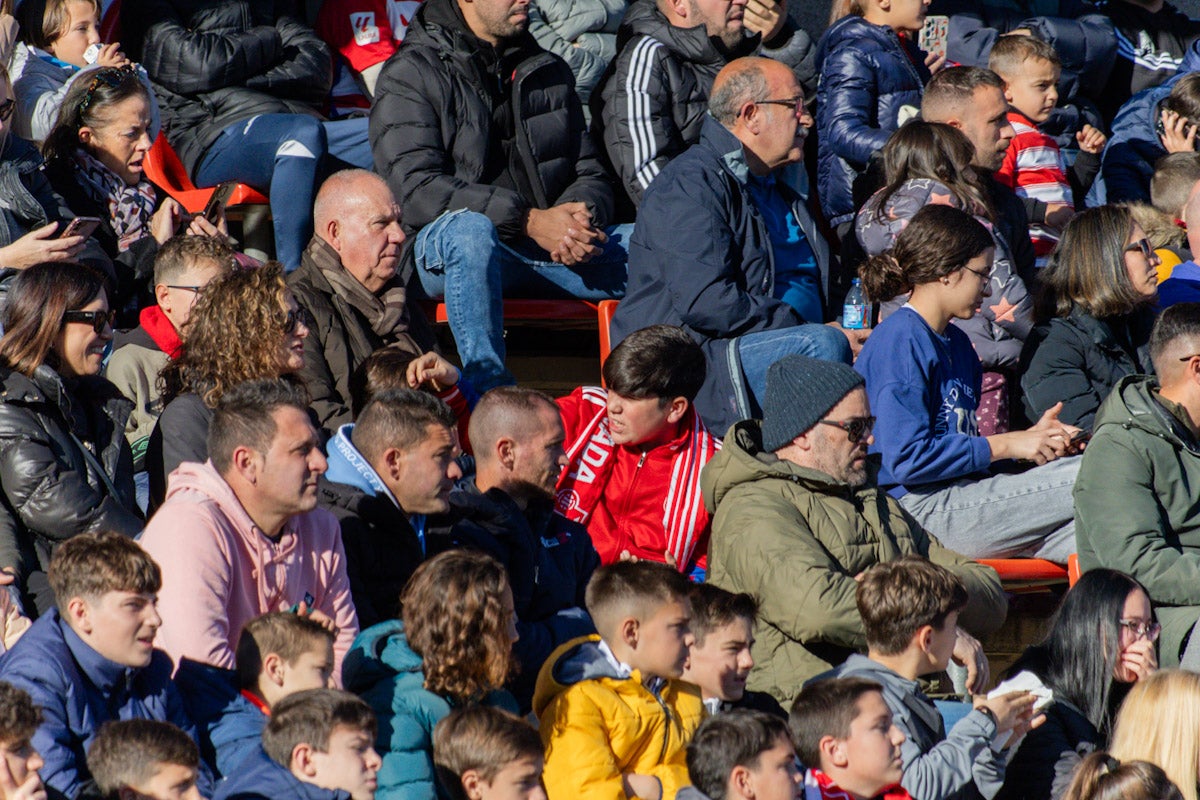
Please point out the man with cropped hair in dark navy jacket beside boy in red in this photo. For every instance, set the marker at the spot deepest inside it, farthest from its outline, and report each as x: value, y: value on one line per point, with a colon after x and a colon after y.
x: 509, y: 514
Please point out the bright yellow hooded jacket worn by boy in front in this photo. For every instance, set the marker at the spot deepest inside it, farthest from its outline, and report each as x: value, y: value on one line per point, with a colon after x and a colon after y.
x: 598, y: 724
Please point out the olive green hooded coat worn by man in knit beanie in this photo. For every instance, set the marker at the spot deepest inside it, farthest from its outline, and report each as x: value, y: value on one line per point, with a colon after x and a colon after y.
x: 796, y: 538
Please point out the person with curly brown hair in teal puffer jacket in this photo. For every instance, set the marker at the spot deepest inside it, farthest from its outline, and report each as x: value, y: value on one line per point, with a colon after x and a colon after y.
x: 451, y: 648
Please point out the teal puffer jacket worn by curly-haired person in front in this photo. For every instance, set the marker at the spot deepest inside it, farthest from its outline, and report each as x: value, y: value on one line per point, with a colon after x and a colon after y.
x: 383, y: 671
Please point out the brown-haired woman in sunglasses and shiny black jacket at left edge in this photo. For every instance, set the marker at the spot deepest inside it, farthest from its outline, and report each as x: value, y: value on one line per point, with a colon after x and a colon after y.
x: 65, y: 466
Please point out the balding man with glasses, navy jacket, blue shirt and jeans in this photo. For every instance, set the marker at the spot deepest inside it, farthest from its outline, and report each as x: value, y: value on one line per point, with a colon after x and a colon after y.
x: 727, y: 249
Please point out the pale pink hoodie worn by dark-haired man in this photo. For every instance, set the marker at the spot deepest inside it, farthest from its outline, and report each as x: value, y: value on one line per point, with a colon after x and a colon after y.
x: 220, y: 570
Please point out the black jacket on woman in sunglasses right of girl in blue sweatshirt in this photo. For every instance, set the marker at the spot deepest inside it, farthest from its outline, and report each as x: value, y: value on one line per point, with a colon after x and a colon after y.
x: 1079, y: 359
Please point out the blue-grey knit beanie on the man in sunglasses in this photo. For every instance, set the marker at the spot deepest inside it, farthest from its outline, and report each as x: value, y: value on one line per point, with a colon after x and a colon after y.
x: 800, y: 392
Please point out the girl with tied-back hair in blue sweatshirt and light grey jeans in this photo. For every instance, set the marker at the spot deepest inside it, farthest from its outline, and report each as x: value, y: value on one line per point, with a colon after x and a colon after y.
x: 923, y: 380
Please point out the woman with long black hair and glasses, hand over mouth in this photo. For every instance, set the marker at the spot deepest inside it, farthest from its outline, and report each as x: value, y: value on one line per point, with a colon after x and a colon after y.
x: 1100, y: 643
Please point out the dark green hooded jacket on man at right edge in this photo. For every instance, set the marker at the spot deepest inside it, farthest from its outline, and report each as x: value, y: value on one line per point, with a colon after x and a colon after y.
x: 1136, y: 508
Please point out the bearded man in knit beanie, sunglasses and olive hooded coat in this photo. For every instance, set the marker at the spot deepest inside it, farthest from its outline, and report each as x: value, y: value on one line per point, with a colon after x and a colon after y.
x: 799, y: 516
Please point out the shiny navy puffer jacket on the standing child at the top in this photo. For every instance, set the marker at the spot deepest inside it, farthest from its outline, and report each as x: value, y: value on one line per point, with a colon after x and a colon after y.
x: 871, y: 83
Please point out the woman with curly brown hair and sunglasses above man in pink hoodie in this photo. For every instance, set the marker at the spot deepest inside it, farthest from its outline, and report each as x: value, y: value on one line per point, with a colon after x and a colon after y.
x: 244, y: 326
